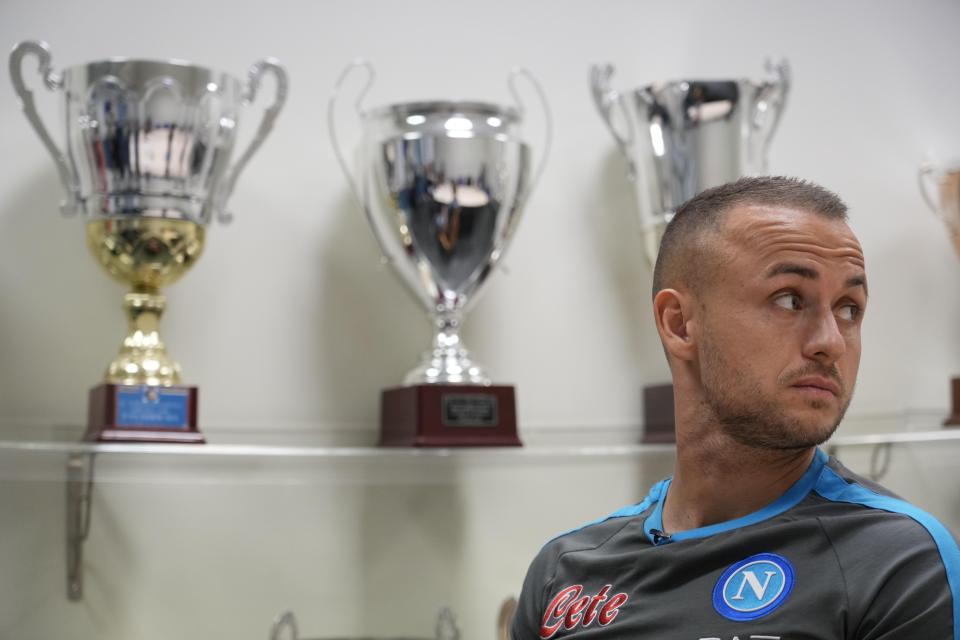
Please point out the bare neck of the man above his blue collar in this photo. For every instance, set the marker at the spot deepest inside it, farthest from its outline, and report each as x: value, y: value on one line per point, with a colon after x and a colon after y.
x: 717, y: 480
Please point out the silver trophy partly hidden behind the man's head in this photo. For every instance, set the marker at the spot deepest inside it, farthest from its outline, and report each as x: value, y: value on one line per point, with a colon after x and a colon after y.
x: 678, y: 139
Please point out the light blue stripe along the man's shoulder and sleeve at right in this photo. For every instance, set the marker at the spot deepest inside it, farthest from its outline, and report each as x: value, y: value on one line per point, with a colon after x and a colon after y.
x: 832, y: 487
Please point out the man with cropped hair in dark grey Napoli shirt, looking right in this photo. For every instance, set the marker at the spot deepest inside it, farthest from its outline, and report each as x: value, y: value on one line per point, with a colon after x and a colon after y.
x: 759, y: 295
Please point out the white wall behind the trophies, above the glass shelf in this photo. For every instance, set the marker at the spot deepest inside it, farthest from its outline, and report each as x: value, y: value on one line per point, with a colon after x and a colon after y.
x: 288, y: 322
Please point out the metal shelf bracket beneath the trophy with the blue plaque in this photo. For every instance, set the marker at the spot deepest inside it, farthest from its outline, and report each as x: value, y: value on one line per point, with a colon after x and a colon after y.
x: 79, y: 499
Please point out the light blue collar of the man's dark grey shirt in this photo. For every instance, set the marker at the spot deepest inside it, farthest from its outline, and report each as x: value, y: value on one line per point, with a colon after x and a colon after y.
x: 792, y: 497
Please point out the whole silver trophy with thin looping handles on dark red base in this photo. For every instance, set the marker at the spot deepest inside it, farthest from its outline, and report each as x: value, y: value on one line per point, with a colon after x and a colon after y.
x: 443, y: 185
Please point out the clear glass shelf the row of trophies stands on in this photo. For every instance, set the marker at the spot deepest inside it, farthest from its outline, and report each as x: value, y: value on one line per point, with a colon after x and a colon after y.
x: 45, y: 460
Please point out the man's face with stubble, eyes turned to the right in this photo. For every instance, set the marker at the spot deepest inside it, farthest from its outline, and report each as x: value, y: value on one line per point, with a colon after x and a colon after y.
x: 780, y: 331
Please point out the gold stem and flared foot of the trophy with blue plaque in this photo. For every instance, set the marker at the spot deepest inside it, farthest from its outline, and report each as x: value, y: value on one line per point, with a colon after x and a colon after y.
x: 143, y: 357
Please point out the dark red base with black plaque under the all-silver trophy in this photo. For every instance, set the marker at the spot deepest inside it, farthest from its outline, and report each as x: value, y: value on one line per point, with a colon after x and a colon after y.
x: 448, y: 415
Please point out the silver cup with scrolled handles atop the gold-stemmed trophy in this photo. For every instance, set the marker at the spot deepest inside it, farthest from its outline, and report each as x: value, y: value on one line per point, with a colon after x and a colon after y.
x: 147, y: 138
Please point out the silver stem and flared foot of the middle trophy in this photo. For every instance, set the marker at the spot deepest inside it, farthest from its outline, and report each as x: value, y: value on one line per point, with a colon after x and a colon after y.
x: 448, y: 362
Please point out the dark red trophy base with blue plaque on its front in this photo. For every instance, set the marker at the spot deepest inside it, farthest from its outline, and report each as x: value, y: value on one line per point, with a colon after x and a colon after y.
x: 107, y: 421
